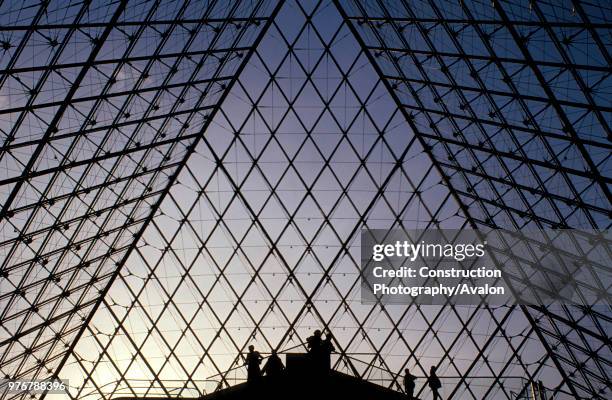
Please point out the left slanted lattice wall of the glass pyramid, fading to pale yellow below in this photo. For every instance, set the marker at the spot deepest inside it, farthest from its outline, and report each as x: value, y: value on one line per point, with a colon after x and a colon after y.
x: 101, y: 103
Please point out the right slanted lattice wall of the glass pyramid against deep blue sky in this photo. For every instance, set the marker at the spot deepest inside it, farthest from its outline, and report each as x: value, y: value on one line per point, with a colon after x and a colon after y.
x: 512, y: 102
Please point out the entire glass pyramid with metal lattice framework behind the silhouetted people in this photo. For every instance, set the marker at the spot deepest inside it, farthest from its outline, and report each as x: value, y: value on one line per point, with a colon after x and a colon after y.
x: 180, y: 179
